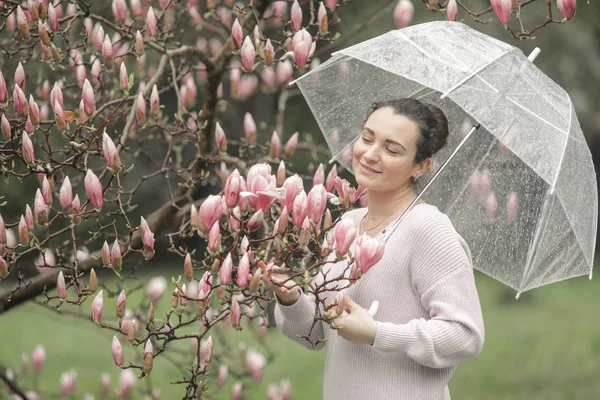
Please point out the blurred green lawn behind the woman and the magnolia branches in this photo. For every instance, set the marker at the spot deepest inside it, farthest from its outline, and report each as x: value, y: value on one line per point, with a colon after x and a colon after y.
x: 544, y: 346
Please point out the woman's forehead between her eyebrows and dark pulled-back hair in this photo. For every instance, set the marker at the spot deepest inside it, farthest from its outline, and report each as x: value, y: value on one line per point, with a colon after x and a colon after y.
x: 387, y: 125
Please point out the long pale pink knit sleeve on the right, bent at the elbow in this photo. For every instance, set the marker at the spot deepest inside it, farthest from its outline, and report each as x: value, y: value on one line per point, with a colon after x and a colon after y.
x: 442, y: 276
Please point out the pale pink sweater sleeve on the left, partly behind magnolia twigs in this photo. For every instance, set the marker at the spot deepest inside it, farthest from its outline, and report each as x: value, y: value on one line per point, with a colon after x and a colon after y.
x: 297, y: 319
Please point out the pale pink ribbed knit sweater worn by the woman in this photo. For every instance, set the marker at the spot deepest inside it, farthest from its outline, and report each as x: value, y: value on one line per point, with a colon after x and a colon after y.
x: 429, y: 317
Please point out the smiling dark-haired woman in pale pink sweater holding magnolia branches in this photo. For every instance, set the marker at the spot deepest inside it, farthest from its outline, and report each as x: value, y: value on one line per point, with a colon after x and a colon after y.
x: 429, y: 317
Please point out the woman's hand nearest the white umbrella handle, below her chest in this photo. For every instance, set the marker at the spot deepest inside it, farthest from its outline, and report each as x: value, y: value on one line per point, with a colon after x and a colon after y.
x: 358, y: 325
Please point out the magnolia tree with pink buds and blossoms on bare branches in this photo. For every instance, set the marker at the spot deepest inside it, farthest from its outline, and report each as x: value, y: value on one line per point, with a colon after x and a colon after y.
x: 81, y: 133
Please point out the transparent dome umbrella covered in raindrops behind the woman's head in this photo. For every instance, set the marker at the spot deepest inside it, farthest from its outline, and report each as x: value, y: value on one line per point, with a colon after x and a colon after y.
x: 516, y: 178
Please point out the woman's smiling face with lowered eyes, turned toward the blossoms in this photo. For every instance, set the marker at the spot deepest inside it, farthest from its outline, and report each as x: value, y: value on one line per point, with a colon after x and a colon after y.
x: 384, y: 154
